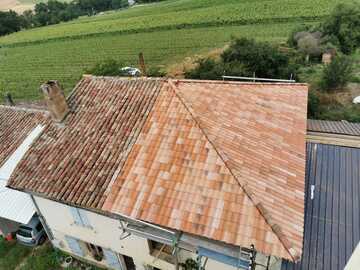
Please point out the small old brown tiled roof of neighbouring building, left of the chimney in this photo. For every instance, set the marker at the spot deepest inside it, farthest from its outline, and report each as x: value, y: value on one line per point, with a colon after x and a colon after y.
x: 15, y: 125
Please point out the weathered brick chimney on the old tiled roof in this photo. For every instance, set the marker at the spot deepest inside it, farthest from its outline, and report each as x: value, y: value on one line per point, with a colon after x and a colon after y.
x: 55, y: 100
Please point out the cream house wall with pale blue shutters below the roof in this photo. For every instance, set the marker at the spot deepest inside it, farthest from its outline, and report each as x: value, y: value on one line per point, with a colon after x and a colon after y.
x: 102, y: 240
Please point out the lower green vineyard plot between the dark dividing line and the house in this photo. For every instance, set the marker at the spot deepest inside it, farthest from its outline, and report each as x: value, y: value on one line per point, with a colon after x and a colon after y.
x: 24, y: 68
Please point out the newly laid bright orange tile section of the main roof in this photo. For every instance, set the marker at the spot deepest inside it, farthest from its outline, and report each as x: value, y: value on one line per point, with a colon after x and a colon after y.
x: 222, y: 160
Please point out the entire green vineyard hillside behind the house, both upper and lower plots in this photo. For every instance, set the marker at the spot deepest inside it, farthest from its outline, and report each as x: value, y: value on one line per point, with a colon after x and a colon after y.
x: 165, y: 32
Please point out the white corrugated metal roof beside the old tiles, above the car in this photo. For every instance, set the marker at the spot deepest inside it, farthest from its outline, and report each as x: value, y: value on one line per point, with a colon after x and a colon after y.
x: 15, y: 205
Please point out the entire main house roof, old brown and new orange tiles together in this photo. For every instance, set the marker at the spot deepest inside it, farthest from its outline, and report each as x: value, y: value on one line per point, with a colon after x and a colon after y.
x: 217, y: 159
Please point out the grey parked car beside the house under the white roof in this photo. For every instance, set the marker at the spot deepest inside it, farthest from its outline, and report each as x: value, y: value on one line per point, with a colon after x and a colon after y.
x: 31, y: 234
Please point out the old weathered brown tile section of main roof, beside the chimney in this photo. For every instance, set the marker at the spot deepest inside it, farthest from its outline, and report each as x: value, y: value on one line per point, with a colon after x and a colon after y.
x: 76, y: 161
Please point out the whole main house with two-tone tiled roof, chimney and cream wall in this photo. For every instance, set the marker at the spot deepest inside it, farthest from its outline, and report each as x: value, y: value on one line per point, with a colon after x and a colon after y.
x: 151, y: 174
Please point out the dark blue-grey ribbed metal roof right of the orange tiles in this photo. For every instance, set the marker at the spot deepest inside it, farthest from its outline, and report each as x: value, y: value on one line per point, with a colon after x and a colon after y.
x: 332, y: 217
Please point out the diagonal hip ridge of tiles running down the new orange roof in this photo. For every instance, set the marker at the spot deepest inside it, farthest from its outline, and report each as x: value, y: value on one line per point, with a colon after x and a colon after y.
x: 248, y: 191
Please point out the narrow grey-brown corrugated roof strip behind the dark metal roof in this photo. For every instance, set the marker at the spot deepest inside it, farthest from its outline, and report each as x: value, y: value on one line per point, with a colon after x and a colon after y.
x: 336, y: 127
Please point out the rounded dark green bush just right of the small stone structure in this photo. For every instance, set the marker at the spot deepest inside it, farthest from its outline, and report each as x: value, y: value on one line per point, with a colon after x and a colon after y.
x: 337, y: 74
